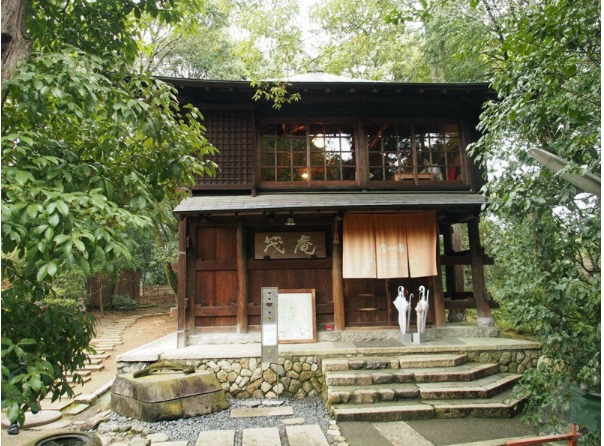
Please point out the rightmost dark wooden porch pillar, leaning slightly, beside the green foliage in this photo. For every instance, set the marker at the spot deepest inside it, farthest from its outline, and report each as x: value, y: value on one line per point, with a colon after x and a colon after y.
x: 483, y: 309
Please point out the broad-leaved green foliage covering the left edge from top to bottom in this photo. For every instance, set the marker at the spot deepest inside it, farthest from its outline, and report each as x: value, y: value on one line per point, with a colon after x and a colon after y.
x: 89, y: 148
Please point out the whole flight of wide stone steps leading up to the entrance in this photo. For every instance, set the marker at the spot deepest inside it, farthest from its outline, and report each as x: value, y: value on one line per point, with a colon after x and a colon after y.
x: 421, y: 386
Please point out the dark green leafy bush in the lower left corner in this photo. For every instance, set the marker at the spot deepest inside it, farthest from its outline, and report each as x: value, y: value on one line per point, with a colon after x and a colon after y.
x: 40, y: 343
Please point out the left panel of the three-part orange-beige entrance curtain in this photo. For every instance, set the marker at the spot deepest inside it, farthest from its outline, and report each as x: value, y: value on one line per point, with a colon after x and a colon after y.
x: 358, y: 247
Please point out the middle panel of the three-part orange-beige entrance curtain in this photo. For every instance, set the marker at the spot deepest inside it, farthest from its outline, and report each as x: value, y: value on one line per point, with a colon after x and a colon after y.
x: 391, y: 245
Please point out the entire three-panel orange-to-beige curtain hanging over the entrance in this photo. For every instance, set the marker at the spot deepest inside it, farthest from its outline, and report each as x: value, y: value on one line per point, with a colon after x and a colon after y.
x: 386, y: 246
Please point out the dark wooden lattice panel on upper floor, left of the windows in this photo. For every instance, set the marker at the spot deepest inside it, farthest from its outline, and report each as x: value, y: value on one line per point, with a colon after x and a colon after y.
x: 232, y: 133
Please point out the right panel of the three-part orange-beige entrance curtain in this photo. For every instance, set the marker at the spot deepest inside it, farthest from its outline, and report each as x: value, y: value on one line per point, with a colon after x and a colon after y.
x: 421, y: 244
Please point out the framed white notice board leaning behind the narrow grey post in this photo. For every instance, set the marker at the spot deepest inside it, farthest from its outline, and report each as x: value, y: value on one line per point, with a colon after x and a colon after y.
x: 297, y: 316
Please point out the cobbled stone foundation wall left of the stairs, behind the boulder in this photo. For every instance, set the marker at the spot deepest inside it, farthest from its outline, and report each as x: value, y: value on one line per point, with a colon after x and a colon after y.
x: 296, y: 377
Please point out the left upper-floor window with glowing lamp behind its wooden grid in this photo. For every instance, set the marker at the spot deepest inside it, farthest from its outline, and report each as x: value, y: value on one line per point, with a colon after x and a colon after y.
x: 307, y: 152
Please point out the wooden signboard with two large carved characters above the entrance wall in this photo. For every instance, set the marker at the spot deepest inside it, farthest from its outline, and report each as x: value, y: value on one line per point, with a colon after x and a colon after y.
x: 289, y: 245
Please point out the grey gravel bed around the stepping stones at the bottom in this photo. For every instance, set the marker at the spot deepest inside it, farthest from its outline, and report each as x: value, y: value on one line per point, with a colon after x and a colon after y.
x: 311, y: 409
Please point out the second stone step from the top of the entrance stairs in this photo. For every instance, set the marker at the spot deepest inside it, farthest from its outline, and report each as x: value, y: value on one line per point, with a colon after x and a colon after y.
x: 465, y: 372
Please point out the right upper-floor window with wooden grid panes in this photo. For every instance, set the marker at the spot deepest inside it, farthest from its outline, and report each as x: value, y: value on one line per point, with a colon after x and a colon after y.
x: 433, y: 155
